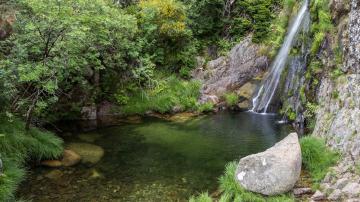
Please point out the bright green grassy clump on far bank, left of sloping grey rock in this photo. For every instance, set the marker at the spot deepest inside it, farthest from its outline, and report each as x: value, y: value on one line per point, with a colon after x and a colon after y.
x: 165, y: 95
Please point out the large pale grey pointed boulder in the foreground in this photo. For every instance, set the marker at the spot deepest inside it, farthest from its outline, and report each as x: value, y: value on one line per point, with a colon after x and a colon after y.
x: 274, y: 171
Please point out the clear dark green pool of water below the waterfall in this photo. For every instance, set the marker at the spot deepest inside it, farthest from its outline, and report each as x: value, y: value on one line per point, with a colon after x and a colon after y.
x: 158, y: 160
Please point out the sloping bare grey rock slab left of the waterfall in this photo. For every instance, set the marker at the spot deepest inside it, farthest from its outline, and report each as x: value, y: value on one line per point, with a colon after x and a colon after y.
x: 228, y: 74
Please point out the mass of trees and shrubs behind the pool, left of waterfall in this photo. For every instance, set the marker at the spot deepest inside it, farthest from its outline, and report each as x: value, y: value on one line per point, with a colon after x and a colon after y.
x: 65, y: 55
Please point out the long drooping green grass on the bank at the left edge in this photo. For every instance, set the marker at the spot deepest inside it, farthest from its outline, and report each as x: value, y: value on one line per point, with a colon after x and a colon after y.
x: 17, y: 146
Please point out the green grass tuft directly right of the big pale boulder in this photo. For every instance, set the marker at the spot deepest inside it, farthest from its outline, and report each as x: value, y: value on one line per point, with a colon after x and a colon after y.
x: 316, y: 157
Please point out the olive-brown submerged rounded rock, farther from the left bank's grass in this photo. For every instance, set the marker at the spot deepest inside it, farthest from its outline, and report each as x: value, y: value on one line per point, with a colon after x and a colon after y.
x: 89, y: 153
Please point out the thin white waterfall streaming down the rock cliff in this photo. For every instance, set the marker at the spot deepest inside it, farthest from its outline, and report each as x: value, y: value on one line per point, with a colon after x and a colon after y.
x: 270, y: 84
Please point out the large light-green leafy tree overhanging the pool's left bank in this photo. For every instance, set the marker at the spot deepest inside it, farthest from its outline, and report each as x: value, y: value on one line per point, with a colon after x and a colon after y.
x: 56, y: 42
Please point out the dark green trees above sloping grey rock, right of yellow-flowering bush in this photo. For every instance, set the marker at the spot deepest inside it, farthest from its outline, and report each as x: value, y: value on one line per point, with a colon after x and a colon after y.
x: 214, y: 19
